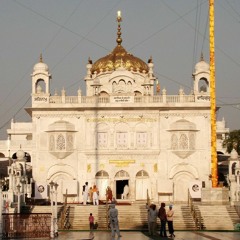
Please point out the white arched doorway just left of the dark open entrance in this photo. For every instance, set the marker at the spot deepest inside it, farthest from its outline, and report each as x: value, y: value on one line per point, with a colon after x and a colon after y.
x: 102, y: 181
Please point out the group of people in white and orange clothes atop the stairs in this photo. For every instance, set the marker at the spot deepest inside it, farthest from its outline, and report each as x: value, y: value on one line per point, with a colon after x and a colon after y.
x: 90, y: 194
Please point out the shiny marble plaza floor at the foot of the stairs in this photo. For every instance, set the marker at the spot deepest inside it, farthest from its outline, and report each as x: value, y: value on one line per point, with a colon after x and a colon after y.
x: 137, y: 235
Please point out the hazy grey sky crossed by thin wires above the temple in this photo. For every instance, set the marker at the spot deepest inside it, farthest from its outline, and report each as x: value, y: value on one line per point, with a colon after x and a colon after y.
x: 68, y: 32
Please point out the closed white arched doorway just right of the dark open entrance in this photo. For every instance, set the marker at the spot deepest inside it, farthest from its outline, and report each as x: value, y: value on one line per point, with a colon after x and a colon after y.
x: 143, y: 185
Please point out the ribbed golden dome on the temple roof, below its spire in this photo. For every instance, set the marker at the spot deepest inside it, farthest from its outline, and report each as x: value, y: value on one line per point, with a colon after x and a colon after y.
x: 119, y: 57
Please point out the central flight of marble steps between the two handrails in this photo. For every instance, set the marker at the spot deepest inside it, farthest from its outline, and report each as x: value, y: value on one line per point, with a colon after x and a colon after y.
x: 131, y: 217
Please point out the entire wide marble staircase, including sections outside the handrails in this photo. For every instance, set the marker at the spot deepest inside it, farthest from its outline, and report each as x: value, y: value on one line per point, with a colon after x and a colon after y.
x: 134, y: 216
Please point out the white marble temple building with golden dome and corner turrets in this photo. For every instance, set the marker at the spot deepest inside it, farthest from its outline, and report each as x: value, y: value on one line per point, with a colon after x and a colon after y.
x: 121, y: 132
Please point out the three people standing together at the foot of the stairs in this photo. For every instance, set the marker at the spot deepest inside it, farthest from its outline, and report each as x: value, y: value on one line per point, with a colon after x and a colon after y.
x: 166, y: 217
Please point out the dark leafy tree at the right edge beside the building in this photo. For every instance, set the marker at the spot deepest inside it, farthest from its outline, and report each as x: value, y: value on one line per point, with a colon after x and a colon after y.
x: 233, y: 140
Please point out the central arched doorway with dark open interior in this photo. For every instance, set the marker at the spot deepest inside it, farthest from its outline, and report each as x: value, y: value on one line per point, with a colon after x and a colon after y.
x: 121, y: 179
